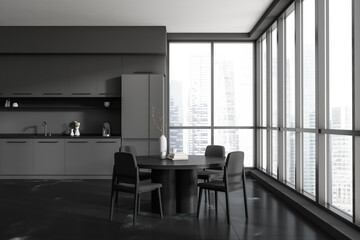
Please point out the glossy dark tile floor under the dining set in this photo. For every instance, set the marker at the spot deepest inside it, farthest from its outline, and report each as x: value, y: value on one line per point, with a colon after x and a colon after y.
x: 79, y: 209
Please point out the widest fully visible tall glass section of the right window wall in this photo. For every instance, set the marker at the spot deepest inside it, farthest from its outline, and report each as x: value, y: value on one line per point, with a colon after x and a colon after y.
x: 340, y: 104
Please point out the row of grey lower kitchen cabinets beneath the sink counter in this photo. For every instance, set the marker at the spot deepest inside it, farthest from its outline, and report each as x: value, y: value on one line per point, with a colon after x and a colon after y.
x: 58, y: 157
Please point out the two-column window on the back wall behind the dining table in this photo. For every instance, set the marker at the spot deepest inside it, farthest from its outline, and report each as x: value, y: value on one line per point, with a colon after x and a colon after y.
x: 211, y: 97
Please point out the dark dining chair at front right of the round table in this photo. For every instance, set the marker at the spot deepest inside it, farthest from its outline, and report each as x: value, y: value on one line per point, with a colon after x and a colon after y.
x: 233, y: 180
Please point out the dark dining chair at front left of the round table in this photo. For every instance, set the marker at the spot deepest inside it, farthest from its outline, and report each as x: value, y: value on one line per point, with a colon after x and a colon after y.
x: 126, y: 179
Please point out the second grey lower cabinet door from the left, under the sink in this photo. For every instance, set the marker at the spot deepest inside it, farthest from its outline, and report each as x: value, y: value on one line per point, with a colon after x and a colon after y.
x: 49, y: 156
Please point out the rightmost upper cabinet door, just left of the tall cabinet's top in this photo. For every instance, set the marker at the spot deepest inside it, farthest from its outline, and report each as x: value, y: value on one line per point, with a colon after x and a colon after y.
x: 109, y: 75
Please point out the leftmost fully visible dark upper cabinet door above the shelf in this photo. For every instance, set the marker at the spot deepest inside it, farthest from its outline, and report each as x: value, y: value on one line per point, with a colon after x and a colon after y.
x: 21, y: 75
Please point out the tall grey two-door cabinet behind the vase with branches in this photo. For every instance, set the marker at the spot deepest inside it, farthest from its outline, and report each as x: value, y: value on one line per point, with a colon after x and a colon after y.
x: 141, y: 92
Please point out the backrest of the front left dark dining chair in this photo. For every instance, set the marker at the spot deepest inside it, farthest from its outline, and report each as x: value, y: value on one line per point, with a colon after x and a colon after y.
x: 125, y: 168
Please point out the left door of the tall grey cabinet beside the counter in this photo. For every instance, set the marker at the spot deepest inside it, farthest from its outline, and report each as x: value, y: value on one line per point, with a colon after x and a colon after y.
x: 135, y: 106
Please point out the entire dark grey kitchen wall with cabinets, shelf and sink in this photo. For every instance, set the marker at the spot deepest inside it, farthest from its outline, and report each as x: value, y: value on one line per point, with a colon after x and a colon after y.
x: 51, y: 81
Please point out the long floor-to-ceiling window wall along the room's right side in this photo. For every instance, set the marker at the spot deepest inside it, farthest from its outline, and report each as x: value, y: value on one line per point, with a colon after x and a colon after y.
x: 315, y: 129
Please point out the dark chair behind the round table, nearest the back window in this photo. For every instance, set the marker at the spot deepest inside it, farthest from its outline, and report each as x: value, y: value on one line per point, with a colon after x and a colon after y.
x: 212, y: 173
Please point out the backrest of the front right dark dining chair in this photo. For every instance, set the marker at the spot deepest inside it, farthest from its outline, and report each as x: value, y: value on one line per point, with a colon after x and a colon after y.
x: 234, y: 167
